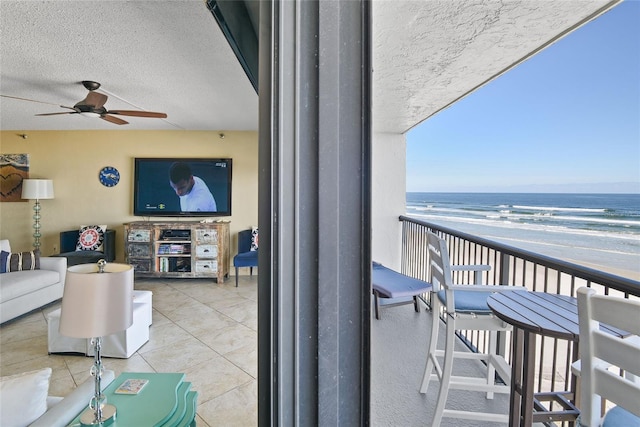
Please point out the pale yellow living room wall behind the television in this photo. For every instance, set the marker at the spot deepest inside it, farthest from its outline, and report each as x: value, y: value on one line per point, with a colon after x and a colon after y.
x: 72, y: 159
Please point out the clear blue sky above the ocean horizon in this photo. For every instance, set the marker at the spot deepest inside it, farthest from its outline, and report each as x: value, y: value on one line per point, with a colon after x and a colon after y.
x: 567, y: 120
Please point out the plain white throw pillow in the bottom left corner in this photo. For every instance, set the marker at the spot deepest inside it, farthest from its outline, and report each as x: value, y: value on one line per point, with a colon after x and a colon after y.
x: 23, y: 397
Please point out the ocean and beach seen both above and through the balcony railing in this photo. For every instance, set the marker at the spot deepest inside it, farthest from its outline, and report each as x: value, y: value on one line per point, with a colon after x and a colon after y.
x: 599, y: 231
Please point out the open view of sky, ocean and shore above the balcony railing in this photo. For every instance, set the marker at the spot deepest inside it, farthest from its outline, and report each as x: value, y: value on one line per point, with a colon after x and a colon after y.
x: 546, y: 157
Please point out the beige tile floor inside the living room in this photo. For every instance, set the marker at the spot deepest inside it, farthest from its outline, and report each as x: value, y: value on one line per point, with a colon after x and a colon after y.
x: 206, y: 330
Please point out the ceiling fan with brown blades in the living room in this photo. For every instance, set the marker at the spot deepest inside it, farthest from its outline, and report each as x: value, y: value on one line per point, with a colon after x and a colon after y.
x: 93, y: 105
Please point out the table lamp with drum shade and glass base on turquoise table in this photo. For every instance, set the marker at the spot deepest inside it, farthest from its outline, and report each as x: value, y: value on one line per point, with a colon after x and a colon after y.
x: 97, y: 301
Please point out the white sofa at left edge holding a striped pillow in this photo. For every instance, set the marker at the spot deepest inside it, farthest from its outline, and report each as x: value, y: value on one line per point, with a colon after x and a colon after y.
x: 27, y: 290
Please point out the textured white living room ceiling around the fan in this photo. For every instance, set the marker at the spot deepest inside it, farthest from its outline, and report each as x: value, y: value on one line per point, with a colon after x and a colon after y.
x: 166, y: 56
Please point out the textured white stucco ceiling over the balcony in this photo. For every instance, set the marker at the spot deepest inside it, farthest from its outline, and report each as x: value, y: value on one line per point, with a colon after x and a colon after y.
x: 429, y: 54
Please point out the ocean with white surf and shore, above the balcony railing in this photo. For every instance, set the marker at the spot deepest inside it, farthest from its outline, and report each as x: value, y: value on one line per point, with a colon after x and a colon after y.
x: 588, y: 229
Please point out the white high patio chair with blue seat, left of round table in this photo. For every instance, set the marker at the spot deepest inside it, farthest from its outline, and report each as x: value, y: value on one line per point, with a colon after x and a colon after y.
x: 465, y: 309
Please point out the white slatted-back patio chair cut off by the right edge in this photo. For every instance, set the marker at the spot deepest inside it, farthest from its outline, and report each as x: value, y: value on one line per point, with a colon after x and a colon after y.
x: 603, y: 354
